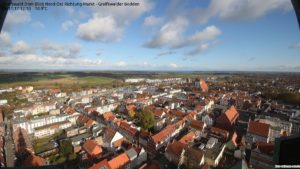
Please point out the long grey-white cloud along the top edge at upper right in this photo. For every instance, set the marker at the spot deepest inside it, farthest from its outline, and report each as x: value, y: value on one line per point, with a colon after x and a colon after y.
x: 239, y: 9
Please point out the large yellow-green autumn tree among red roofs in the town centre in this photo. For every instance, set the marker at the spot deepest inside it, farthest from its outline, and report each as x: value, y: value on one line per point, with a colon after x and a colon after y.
x: 146, y: 119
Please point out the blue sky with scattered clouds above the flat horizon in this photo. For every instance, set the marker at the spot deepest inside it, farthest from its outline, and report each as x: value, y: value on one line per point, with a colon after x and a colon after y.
x: 156, y: 35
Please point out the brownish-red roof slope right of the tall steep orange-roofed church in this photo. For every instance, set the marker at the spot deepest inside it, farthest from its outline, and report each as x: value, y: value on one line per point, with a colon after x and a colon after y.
x: 258, y: 128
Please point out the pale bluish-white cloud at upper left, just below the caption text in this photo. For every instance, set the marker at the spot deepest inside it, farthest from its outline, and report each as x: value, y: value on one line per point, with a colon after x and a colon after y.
x: 16, y: 17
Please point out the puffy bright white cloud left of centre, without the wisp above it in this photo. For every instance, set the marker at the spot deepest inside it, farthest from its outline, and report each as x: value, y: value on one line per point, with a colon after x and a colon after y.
x: 99, y: 28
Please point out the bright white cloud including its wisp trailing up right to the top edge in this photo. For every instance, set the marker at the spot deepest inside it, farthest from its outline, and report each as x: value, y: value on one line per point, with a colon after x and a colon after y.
x: 108, y: 23
